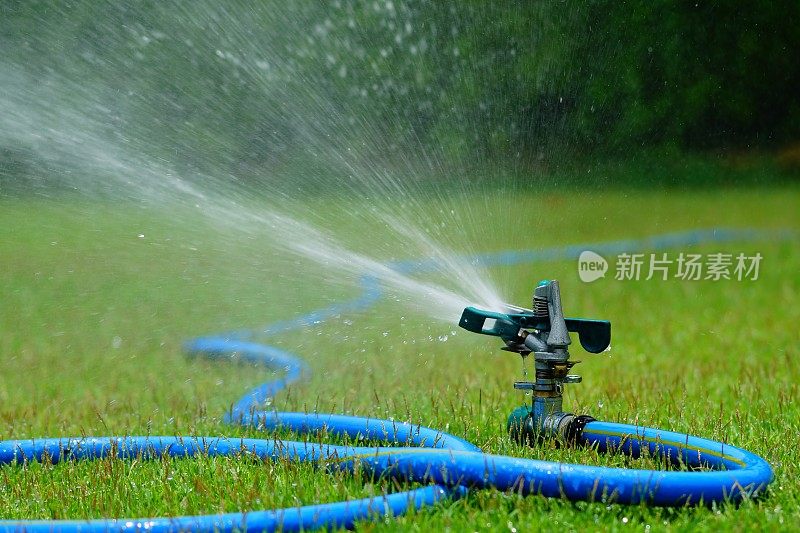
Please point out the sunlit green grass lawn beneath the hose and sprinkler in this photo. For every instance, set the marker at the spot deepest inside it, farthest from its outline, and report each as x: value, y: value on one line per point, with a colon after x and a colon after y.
x: 92, y: 318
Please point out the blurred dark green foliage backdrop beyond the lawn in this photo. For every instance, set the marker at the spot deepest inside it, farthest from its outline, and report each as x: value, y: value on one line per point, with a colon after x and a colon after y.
x: 532, y: 88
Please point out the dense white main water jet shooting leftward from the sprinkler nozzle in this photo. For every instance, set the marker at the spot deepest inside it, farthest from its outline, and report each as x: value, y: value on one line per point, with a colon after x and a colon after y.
x: 66, y: 137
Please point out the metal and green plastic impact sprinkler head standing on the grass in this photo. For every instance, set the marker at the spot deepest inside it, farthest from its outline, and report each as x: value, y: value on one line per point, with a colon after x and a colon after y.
x: 544, y: 332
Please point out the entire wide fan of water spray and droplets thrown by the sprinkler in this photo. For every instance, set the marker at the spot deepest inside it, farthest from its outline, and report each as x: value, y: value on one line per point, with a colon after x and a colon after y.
x: 88, y: 134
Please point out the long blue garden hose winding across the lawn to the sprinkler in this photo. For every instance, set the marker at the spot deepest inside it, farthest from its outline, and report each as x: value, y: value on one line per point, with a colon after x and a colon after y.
x: 448, y: 464
